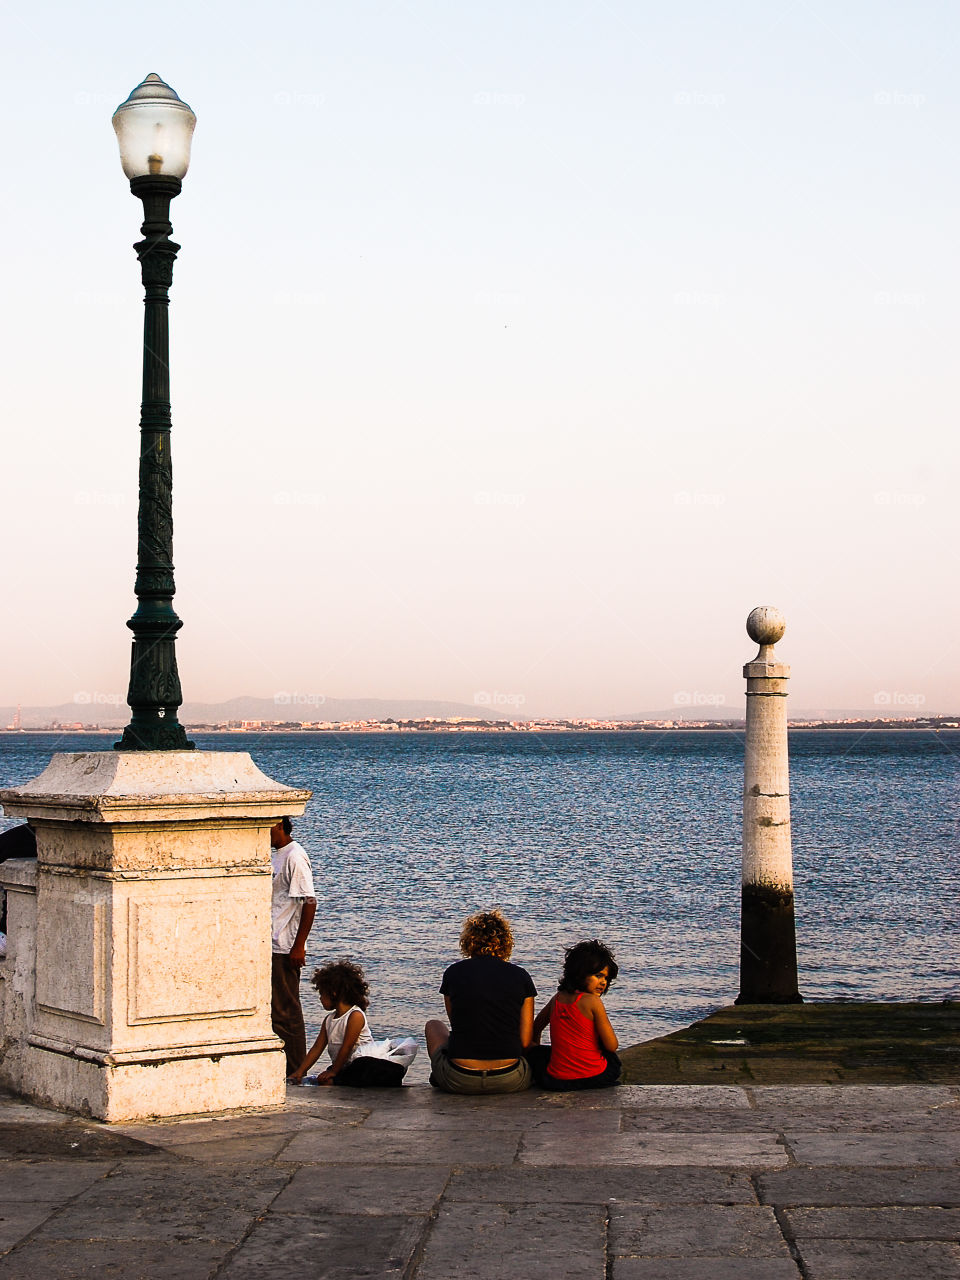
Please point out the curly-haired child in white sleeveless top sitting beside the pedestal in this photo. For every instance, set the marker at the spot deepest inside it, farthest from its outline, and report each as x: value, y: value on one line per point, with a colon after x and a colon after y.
x: 356, y: 1058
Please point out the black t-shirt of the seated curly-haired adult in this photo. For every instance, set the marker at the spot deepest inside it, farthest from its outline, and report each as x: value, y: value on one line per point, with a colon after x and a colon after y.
x: 486, y: 998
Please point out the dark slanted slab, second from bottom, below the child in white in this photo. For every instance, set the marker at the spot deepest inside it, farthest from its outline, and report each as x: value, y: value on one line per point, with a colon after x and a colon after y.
x: 364, y: 1190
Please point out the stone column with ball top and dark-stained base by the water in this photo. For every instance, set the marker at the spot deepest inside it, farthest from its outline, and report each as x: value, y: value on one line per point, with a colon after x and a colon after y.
x: 767, y: 925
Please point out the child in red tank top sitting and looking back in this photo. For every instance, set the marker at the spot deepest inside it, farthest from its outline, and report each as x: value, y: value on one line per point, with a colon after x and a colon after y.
x: 582, y: 1052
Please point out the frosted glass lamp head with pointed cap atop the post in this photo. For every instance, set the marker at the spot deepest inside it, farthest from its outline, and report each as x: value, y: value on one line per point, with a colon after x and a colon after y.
x: 154, y: 130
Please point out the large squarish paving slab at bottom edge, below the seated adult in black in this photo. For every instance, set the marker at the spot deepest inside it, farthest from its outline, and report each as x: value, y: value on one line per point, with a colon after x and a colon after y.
x: 491, y: 1242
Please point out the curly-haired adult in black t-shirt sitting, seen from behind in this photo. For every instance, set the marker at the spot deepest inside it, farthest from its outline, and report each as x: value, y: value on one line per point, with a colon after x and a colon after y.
x: 491, y: 1008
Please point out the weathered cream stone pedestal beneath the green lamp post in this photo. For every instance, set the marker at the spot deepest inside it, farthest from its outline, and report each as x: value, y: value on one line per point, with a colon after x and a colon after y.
x: 152, y: 993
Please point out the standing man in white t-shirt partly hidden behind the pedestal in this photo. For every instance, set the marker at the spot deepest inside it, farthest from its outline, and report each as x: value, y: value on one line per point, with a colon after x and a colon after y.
x: 292, y: 916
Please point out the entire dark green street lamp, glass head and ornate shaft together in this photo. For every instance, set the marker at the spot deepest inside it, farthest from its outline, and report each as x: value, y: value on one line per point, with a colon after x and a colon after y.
x: 154, y: 130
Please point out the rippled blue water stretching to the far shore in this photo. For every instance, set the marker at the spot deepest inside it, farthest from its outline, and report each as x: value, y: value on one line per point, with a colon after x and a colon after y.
x: 633, y: 838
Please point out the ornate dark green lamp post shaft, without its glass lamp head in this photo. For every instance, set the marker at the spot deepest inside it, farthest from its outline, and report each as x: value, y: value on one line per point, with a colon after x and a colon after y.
x: 154, y: 693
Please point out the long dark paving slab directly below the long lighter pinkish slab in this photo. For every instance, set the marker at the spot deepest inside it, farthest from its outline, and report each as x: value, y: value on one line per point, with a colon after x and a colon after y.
x: 529, y: 1186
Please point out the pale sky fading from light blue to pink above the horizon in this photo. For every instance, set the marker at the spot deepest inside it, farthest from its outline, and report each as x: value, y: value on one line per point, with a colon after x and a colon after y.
x: 518, y: 349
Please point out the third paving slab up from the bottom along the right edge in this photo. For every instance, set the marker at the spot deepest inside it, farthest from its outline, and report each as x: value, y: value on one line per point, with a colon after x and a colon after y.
x: 835, y: 1187
